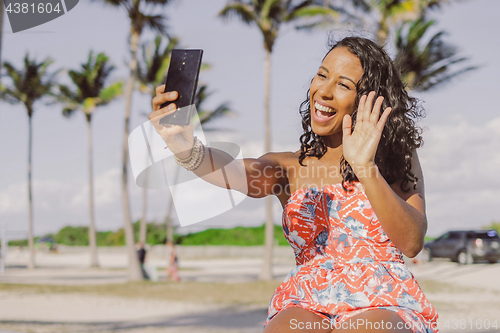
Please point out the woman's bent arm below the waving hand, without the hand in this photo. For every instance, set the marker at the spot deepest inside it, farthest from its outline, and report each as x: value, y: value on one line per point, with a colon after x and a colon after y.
x: 401, y: 214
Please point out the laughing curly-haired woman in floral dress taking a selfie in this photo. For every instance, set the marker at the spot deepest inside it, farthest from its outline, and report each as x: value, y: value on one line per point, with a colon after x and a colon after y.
x: 352, y: 195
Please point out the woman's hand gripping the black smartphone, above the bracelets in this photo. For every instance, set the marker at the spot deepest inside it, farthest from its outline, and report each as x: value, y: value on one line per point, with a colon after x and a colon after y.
x: 179, y: 139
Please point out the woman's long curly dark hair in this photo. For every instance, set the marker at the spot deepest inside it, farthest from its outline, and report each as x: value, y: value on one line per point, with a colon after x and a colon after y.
x: 400, y: 135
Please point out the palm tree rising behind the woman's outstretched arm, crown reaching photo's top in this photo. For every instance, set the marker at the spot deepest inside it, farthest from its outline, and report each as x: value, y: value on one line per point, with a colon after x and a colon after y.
x: 268, y: 16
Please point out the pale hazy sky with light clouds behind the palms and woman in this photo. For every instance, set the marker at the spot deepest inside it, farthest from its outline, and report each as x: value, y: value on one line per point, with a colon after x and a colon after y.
x: 460, y: 157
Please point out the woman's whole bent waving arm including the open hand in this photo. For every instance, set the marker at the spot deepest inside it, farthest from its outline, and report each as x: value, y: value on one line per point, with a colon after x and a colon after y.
x: 402, y: 215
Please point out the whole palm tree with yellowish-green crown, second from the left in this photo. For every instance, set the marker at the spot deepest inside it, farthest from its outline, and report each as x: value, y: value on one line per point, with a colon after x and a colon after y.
x: 90, y: 93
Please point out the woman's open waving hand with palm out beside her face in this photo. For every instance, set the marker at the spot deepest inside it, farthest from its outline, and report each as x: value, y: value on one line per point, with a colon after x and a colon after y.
x: 360, y: 146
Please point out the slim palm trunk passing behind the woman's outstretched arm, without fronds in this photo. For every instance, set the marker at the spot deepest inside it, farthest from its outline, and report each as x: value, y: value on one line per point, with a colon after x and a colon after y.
x: 267, y: 273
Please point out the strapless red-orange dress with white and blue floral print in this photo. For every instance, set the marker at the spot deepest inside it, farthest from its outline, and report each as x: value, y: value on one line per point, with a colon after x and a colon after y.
x: 345, y: 263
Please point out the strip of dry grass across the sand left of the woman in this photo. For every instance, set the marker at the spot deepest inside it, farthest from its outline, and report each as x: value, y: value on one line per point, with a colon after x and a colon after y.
x: 243, y: 293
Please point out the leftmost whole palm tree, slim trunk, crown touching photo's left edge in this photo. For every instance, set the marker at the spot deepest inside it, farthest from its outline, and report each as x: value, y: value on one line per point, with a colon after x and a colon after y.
x: 29, y: 85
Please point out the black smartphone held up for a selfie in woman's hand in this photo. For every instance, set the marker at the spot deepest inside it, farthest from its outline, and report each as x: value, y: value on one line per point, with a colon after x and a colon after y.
x: 182, y: 76
